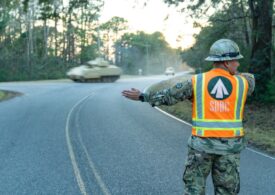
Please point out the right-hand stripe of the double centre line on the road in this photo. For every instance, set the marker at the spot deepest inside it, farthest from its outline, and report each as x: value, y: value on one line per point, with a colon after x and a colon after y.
x: 92, y: 165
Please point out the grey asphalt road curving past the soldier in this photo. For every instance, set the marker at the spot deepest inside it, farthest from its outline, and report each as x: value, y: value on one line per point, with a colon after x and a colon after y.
x: 73, y: 138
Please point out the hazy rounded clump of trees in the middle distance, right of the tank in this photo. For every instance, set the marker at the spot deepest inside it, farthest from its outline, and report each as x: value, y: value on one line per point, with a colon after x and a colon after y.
x: 149, y: 52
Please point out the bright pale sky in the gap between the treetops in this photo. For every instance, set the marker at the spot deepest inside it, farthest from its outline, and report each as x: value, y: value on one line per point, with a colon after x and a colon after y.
x: 176, y: 28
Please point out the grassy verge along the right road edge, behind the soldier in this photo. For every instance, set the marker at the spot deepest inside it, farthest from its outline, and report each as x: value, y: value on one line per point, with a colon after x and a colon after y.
x: 259, y: 119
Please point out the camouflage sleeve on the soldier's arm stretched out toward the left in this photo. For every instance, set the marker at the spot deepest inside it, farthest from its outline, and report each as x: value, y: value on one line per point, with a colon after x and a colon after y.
x: 179, y: 92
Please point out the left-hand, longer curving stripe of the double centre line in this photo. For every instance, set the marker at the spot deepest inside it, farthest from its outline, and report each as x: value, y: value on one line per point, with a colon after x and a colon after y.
x: 77, y: 174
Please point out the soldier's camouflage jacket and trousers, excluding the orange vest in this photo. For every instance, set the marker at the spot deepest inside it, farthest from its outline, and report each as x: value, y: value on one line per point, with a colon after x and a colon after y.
x: 221, y: 156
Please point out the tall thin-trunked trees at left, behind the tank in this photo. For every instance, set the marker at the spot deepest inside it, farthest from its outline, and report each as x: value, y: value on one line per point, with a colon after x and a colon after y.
x: 31, y: 50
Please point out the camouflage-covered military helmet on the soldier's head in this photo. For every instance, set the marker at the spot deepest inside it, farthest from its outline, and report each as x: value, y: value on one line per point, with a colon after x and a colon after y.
x: 224, y: 50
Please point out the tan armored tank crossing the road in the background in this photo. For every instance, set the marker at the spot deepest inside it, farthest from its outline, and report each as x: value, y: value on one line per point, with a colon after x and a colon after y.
x: 98, y: 70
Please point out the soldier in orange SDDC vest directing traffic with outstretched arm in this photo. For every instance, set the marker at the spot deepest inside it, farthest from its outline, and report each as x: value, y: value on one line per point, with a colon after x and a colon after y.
x: 218, y: 97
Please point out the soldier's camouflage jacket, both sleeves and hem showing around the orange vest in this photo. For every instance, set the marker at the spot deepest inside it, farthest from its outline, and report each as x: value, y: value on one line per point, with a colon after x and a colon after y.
x: 182, y: 91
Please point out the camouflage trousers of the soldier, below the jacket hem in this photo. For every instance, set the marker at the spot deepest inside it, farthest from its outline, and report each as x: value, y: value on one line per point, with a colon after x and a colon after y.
x: 225, y: 172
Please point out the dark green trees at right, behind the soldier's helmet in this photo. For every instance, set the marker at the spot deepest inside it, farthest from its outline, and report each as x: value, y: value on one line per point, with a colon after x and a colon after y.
x: 246, y: 22
